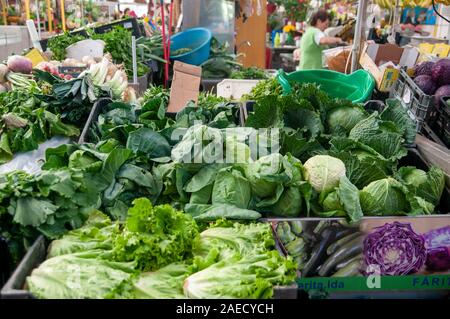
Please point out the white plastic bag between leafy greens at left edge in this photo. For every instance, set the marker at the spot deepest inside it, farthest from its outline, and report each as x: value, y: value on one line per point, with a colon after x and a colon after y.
x: 32, y: 161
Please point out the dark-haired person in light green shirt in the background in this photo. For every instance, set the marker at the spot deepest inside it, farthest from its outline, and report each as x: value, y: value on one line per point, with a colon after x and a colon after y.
x: 314, y: 41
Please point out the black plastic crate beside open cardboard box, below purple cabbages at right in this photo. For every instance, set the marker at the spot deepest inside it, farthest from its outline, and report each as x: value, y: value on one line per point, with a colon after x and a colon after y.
x: 419, y: 105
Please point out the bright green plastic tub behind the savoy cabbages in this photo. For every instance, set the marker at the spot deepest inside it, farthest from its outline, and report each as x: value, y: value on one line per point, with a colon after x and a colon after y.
x: 356, y: 87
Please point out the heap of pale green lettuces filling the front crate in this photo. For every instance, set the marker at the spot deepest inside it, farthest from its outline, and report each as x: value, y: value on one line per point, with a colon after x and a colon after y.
x: 83, y: 263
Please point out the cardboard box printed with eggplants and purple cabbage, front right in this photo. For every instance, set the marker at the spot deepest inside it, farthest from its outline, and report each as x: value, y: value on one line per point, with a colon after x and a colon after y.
x: 331, y: 253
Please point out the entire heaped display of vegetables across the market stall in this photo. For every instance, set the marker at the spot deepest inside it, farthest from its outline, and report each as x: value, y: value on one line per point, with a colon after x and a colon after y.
x: 155, y: 205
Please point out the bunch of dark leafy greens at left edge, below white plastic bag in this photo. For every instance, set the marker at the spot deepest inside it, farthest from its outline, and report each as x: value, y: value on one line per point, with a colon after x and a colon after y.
x: 54, y: 201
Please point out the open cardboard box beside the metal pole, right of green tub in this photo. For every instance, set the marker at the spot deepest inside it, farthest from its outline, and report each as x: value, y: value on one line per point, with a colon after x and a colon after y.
x: 374, y: 55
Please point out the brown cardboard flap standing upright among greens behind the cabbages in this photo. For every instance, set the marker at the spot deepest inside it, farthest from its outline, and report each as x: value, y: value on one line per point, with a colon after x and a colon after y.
x: 185, y: 86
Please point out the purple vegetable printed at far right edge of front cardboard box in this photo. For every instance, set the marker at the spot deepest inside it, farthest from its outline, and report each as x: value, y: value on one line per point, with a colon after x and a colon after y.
x: 437, y: 242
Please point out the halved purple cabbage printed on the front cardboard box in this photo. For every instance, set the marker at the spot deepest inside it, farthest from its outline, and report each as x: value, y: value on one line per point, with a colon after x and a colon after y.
x: 395, y: 248
